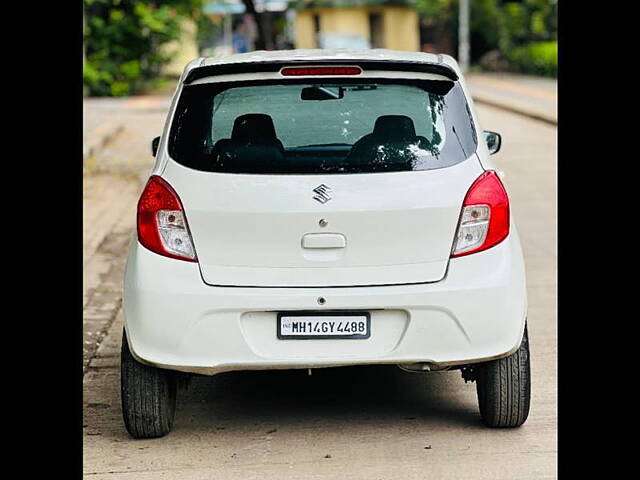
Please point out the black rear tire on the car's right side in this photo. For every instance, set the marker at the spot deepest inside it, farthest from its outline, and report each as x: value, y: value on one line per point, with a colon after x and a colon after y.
x: 504, y: 388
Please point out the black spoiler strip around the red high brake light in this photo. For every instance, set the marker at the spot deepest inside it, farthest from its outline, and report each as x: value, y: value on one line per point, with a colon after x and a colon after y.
x: 275, y: 66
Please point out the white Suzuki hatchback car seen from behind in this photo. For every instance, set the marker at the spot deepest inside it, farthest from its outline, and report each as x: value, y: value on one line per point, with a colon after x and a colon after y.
x: 318, y: 208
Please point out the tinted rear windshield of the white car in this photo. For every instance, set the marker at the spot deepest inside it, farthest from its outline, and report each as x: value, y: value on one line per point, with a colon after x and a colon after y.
x: 324, y: 126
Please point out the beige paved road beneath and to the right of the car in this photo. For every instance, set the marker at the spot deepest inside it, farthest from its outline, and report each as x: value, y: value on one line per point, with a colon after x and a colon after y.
x: 354, y: 423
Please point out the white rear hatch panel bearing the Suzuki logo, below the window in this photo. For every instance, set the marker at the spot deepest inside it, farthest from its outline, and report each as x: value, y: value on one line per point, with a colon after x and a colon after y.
x: 323, y: 230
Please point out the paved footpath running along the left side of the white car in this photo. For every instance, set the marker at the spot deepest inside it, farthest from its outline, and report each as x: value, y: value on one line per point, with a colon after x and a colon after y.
x: 112, y: 182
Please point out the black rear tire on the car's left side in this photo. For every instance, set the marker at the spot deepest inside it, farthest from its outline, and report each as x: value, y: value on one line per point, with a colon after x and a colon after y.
x: 148, y: 396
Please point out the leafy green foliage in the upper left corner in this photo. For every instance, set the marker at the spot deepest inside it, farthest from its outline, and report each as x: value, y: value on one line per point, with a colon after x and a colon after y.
x: 123, y: 40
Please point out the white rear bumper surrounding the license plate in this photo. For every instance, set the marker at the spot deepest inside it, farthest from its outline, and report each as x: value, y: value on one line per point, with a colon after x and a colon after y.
x: 174, y: 320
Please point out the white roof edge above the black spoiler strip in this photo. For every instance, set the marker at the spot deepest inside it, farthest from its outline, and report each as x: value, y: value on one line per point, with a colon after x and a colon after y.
x: 324, y: 55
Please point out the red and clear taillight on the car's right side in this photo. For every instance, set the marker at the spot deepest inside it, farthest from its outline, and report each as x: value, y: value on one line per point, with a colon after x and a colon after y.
x: 484, y: 221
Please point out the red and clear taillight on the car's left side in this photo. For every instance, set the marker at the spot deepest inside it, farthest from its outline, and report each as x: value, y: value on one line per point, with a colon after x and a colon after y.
x: 162, y: 225
